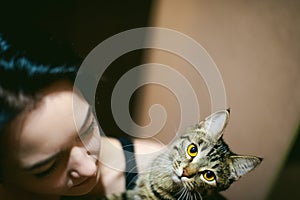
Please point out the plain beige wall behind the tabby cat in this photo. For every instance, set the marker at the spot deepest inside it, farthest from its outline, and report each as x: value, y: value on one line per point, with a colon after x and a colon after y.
x: 256, y: 47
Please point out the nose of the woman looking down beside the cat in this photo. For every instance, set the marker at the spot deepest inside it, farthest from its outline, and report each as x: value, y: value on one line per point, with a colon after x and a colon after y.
x: 81, y: 163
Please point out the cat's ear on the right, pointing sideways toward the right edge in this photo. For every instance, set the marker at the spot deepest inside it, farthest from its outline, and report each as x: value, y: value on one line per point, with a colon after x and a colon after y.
x: 241, y: 165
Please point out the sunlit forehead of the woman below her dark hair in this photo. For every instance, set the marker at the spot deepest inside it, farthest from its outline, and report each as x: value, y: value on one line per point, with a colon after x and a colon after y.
x: 49, y: 126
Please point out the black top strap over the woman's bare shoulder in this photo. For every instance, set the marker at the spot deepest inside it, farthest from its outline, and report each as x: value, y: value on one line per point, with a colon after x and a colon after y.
x: 131, y: 172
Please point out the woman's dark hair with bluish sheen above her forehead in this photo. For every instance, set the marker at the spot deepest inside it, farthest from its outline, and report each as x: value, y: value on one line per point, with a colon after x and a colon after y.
x: 27, y: 67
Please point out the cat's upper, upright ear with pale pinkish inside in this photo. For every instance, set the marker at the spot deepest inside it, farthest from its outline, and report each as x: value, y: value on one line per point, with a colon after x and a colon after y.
x: 216, y: 123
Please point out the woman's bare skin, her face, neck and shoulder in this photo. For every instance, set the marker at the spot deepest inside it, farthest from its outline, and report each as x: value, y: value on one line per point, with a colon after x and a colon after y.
x: 53, y: 151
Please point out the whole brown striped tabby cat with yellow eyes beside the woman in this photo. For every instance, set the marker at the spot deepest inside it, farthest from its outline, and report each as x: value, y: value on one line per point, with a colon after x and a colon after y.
x: 197, y: 166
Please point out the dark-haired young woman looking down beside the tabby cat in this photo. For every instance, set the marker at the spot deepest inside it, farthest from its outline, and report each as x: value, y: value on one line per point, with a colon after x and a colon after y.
x: 47, y: 150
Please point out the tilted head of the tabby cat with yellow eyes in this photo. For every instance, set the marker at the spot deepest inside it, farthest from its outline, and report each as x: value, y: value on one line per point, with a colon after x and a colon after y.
x: 203, y: 162
